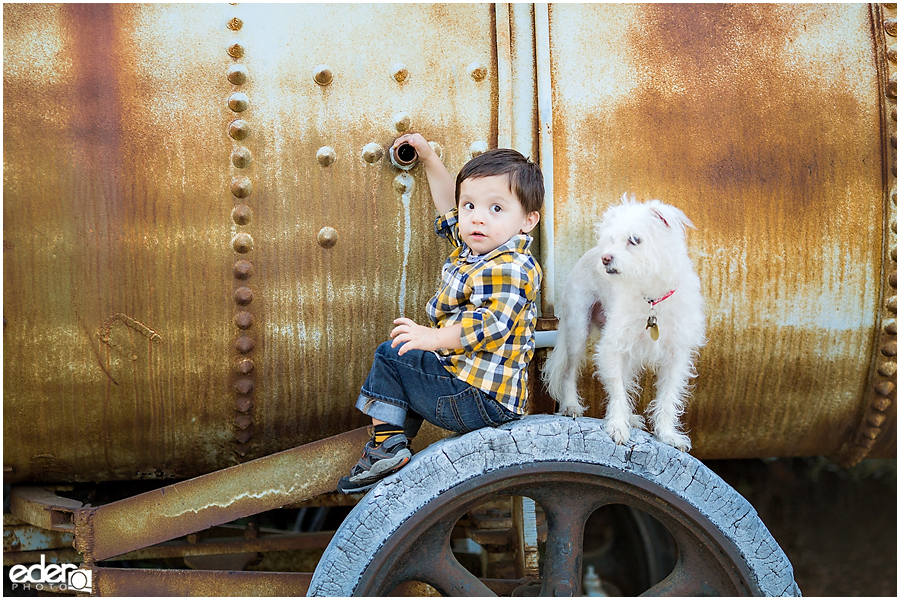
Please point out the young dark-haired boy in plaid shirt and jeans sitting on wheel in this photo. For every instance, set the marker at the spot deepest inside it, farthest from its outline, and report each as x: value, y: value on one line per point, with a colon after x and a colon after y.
x: 468, y: 370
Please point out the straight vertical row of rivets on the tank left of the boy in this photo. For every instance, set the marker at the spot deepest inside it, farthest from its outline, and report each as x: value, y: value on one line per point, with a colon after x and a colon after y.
x: 242, y: 243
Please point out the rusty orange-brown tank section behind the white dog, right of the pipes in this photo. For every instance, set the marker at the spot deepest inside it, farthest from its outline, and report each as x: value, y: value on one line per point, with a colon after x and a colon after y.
x: 764, y: 124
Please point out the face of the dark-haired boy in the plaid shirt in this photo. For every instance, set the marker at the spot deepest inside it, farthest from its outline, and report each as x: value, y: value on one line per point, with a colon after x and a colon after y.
x: 490, y: 213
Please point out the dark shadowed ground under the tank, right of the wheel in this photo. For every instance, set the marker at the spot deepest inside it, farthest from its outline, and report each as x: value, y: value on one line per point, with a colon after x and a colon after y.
x: 838, y: 527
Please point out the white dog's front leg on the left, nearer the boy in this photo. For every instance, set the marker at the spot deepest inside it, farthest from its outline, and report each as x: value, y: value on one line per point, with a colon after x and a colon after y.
x: 619, y: 376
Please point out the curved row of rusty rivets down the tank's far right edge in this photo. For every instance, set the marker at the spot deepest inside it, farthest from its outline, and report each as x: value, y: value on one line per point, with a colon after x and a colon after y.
x: 883, y: 387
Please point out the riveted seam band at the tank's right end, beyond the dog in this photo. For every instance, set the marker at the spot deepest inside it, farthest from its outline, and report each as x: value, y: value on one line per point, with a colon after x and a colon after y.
x: 882, y: 393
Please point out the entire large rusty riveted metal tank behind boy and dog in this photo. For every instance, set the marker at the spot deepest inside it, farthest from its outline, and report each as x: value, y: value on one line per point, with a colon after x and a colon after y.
x: 204, y: 239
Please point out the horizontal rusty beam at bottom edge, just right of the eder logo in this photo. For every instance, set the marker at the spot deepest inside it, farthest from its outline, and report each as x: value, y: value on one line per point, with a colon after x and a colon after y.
x: 157, y: 582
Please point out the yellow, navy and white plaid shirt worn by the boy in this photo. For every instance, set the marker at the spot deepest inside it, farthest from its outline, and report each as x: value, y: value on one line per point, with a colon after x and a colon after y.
x: 493, y: 297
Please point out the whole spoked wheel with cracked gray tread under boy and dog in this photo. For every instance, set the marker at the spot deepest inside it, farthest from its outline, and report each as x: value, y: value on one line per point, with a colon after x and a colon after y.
x: 401, y: 530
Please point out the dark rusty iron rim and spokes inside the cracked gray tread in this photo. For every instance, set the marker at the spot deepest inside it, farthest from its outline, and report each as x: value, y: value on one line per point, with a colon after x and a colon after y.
x: 419, y: 550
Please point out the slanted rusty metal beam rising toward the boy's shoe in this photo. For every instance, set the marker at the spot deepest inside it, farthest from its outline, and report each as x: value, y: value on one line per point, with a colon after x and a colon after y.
x: 220, y: 497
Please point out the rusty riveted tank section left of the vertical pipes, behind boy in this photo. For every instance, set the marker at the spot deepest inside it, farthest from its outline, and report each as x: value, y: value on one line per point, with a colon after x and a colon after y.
x: 159, y: 332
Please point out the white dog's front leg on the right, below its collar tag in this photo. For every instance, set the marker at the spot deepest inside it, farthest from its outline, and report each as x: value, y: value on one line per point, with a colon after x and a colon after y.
x: 671, y: 395
